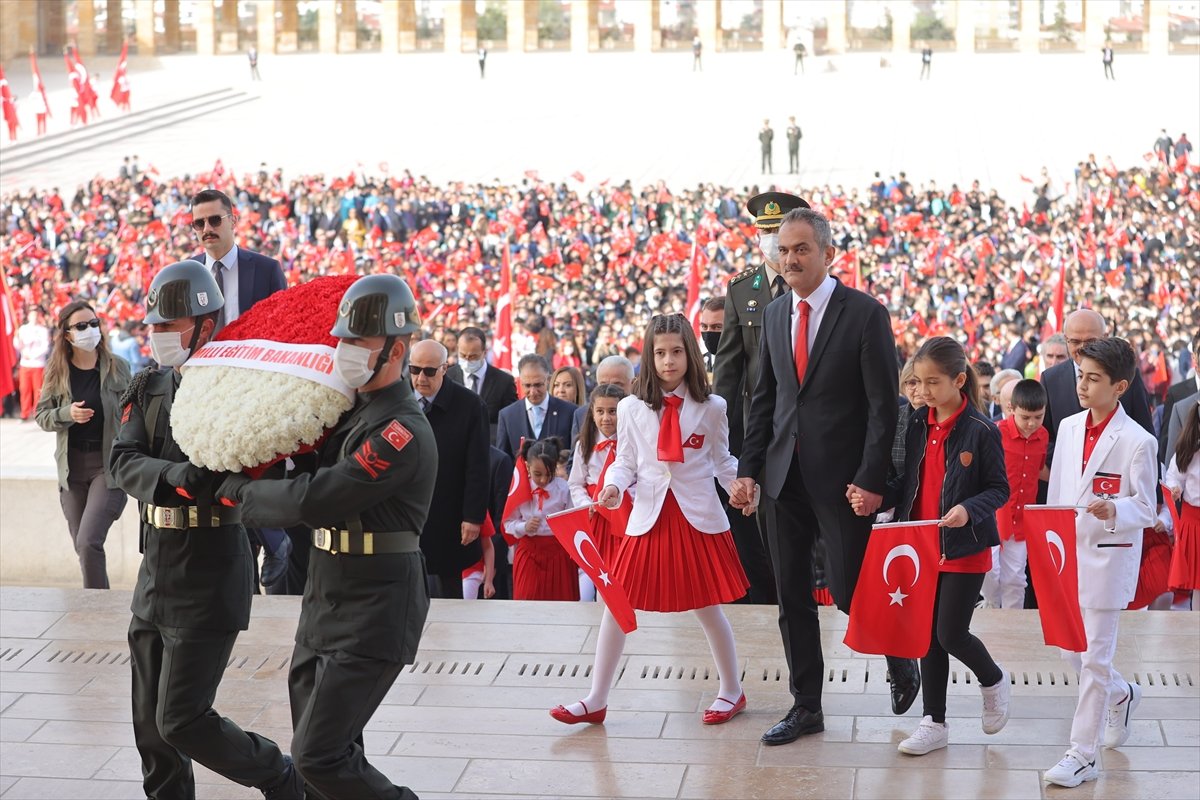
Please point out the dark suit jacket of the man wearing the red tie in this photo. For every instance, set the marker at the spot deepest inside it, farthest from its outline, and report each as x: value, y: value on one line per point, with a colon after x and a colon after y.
x: 842, y: 423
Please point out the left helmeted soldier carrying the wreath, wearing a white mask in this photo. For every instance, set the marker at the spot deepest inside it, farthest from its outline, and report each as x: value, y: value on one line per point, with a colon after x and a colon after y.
x: 194, y: 587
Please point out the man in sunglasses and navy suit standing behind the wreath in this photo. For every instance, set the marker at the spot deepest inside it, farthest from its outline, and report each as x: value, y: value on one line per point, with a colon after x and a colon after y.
x: 245, y: 278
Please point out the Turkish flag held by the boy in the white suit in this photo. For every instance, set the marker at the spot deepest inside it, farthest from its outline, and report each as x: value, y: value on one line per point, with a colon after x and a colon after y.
x: 1051, y: 540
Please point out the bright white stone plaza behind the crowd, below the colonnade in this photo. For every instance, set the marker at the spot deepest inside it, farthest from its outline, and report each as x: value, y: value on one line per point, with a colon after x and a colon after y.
x: 646, y: 117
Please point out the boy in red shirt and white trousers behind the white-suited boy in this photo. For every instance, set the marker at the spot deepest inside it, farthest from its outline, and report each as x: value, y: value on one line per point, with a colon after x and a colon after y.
x: 1025, y: 456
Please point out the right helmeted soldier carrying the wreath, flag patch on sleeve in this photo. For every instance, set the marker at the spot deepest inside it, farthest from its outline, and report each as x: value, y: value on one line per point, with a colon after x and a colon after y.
x: 365, y: 603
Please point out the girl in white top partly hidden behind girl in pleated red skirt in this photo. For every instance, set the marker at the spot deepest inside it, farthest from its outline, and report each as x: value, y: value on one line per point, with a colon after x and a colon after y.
x: 595, y: 453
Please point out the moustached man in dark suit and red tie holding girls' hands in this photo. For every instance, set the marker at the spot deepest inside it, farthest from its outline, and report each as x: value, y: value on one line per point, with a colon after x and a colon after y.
x: 823, y: 420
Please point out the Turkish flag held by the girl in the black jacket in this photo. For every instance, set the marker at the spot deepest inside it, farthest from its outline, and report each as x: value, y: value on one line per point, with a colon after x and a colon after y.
x: 892, y: 612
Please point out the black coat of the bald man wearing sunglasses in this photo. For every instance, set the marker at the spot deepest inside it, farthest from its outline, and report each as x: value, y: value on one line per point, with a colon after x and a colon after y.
x: 463, y: 490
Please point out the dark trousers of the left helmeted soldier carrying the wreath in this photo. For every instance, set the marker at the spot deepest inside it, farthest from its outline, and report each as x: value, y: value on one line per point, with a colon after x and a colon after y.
x: 176, y: 677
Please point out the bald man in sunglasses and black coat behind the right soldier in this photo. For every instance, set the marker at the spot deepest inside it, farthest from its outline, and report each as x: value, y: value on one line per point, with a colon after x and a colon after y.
x: 451, y: 538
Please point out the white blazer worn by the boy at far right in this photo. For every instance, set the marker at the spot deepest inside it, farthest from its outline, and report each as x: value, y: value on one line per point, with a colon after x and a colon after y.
x: 1109, y: 554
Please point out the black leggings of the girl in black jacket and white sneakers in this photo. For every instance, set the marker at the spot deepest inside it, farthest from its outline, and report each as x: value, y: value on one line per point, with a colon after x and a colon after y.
x: 953, y: 609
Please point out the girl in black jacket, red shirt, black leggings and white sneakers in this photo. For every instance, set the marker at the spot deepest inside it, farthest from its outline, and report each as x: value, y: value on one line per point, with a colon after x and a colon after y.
x: 955, y: 473
